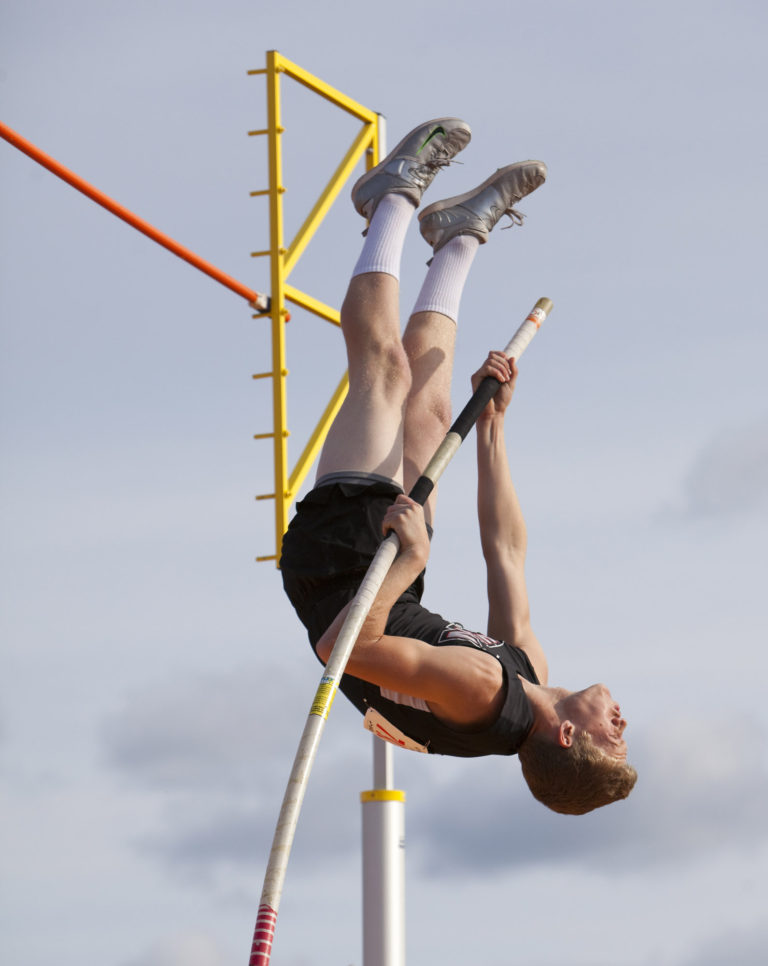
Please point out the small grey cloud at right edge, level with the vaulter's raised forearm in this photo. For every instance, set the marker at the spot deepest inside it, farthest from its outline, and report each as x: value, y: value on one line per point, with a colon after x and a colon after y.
x: 729, y: 477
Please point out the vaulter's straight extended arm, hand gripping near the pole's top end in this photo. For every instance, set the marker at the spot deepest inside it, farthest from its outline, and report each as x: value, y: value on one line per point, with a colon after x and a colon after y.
x: 502, y: 527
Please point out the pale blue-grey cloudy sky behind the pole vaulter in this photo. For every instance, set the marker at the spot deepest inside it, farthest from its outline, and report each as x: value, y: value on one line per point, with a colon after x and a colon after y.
x: 154, y: 680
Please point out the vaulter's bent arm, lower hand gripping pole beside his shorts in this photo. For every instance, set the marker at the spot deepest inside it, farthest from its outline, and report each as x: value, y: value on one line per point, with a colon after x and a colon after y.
x: 463, y: 687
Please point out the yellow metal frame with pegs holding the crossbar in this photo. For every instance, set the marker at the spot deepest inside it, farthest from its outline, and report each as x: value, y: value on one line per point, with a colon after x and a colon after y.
x: 284, y: 259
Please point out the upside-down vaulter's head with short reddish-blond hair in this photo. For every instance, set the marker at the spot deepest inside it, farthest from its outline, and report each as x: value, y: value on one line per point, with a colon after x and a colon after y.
x: 584, y: 765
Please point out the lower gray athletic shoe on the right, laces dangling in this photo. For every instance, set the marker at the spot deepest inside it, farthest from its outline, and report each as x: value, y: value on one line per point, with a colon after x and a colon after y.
x: 478, y: 211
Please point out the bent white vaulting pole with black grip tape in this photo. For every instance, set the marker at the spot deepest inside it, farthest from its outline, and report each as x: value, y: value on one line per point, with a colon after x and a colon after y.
x: 261, y: 949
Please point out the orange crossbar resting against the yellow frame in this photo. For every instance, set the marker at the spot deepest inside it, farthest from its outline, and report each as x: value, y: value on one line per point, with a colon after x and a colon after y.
x: 256, y: 299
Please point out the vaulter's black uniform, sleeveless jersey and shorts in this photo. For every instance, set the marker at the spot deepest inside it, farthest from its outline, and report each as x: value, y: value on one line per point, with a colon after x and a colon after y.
x: 326, y: 553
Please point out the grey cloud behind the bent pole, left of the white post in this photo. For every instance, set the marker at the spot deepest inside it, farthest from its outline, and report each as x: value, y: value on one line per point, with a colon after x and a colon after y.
x: 217, y: 751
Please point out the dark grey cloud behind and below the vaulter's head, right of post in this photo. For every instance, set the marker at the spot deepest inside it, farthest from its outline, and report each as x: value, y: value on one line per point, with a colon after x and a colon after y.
x: 700, y: 790
